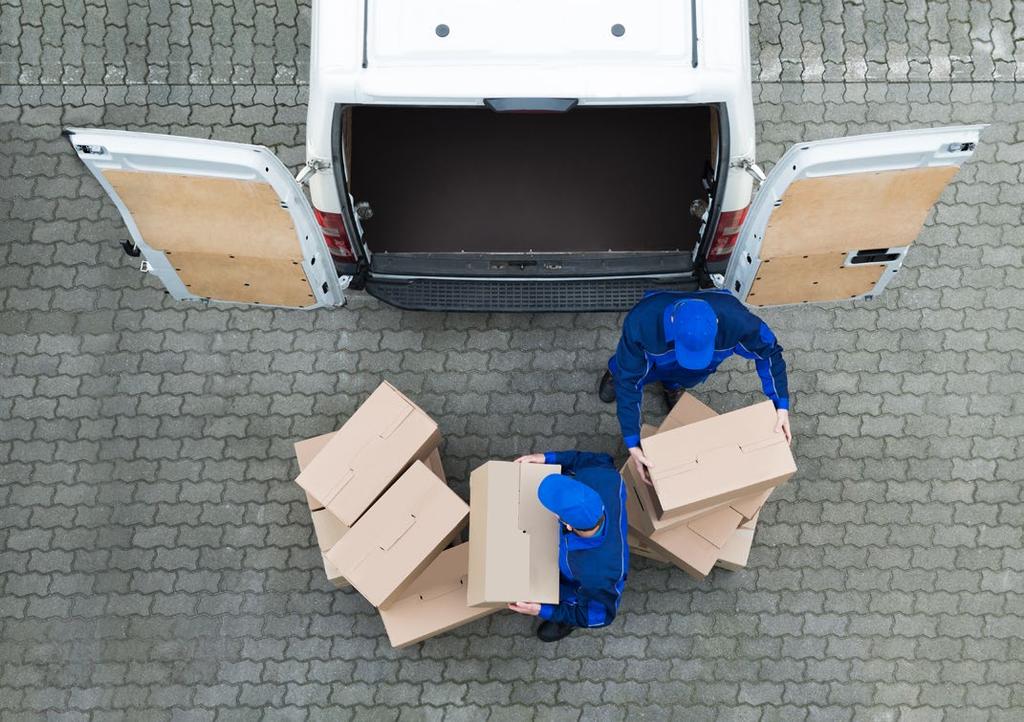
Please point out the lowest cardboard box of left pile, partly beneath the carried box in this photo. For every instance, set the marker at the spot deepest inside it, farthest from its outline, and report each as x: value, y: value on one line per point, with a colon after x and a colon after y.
x: 435, y: 603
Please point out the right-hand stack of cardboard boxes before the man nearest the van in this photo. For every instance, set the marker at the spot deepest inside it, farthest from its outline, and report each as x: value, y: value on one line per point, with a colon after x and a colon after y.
x: 711, y: 475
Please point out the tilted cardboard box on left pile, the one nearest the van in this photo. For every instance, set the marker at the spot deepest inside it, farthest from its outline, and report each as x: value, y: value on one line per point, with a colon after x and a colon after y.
x: 380, y: 441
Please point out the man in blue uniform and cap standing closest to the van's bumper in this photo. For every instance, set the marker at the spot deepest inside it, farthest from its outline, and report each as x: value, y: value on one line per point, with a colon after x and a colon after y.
x: 679, y: 339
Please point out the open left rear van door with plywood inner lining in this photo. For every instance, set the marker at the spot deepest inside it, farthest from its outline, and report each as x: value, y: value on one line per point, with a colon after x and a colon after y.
x: 222, y: 222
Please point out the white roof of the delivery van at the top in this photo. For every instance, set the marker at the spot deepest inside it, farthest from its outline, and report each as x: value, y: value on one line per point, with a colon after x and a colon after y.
x: 408, y: 52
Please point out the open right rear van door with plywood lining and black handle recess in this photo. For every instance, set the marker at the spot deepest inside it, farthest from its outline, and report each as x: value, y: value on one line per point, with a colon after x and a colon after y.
x: 835, y: 219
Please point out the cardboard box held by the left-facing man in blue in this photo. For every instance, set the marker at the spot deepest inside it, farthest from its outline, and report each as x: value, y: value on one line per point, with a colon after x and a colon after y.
x: 514, y: 540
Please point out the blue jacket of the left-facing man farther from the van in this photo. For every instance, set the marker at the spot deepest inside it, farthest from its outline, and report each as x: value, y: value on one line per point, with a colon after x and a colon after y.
x: 593, y: 570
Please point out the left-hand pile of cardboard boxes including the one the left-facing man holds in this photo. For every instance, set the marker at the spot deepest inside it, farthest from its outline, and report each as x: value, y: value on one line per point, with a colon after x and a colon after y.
x: 386, y: 523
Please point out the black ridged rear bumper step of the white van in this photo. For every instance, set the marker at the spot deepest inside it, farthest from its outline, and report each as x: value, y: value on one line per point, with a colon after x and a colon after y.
x: 523, y: 295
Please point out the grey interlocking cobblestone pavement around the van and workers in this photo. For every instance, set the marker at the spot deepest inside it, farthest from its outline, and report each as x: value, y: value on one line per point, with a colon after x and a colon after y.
x: 157, y: 562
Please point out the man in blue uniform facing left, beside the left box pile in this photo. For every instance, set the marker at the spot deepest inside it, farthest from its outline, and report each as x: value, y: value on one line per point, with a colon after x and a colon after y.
x: 589, y: 499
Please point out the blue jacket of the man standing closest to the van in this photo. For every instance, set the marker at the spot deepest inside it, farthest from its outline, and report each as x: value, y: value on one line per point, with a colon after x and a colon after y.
x: 644, y: 353
